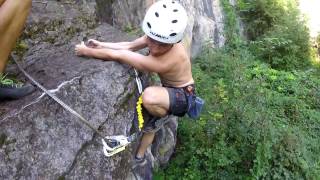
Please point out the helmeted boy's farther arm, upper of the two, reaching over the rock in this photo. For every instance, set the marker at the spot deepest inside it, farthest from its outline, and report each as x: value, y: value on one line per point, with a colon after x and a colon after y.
x: 135, y: 45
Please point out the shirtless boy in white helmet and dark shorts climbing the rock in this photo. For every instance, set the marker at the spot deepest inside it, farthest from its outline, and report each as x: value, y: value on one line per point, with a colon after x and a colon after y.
x: 163, y: 25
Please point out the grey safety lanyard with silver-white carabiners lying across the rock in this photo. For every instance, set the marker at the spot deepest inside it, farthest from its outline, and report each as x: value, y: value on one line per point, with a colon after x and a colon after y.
x: 111, y: 144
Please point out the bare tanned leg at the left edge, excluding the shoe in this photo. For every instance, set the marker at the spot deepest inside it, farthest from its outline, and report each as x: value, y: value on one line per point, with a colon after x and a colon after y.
x: 13, y: 14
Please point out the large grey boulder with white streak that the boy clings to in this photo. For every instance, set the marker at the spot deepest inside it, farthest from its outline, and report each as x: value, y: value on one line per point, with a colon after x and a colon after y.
x: 41, y: 140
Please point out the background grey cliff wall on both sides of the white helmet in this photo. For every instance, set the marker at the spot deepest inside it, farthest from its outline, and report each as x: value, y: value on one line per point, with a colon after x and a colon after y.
x: 205, y: 19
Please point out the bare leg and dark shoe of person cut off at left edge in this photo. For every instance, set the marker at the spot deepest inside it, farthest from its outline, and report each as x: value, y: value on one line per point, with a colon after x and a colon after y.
x: 13, y: 14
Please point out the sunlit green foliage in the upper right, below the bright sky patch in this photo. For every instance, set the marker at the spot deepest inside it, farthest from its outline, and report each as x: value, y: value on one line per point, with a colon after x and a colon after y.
x: 279, y: 35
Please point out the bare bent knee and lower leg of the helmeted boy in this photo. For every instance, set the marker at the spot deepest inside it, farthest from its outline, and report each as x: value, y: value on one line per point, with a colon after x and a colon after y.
x: 156, y: 101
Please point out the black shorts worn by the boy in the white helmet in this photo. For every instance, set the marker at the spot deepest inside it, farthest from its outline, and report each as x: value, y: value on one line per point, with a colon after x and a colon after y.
x: 178, y: 100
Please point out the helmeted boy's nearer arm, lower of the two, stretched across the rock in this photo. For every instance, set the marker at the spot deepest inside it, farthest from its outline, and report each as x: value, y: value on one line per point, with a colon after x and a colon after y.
x: 141, y: 62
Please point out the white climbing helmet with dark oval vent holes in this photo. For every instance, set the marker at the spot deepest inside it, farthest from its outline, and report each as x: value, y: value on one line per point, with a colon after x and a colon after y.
x: 165, y: 21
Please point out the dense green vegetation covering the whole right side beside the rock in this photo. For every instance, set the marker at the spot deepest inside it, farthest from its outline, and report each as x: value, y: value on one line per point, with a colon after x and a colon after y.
x: 262, y: 113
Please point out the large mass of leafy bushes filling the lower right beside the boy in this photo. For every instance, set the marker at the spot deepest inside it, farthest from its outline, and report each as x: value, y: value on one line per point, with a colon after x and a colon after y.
x: 258, y: 123
